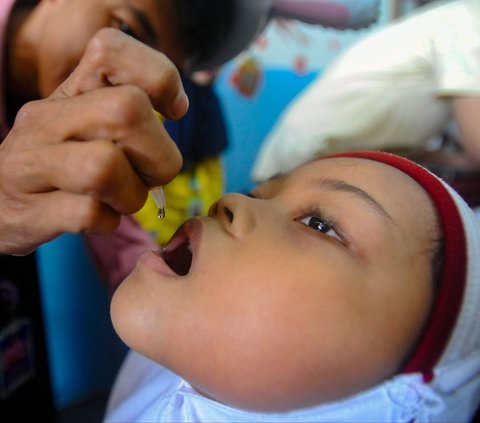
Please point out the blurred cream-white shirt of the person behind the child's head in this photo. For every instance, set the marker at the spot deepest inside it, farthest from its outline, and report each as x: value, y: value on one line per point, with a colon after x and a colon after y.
x: 390, y: 89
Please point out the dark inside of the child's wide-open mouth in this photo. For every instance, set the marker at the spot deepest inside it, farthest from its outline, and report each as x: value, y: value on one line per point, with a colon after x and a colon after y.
x: 177, y: 253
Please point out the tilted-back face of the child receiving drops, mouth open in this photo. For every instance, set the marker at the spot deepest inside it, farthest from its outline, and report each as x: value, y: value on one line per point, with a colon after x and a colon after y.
x: 314, y: 289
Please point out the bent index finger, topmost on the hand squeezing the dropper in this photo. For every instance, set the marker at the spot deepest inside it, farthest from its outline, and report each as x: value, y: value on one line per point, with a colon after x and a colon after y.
x: 113, y: 58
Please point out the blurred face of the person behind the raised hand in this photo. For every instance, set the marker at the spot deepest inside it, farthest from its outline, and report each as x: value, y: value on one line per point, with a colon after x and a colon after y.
x: 69, y: 24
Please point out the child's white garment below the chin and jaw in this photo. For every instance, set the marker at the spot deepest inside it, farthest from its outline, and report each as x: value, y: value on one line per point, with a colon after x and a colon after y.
x: 154, y: 394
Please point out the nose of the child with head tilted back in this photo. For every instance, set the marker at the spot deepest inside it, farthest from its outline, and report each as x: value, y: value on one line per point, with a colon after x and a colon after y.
x: 236, y: 212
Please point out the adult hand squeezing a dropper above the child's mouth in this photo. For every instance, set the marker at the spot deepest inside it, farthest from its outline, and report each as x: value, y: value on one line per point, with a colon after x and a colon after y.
x: 77, y: 160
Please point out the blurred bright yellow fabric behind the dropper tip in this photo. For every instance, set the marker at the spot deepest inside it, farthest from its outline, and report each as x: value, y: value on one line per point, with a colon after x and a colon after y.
x: 191, y: 193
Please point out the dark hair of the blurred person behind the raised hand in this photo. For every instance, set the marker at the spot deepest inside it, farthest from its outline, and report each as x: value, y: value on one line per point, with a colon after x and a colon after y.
x: 204, y: 25
